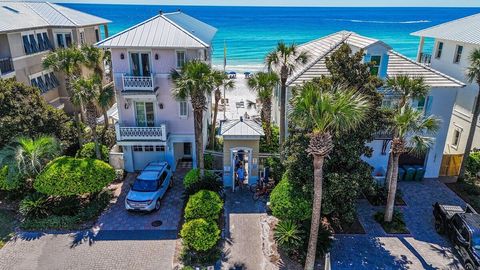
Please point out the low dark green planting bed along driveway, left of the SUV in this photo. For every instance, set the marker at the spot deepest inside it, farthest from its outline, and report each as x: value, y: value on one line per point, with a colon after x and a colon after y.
x: 88, y: 212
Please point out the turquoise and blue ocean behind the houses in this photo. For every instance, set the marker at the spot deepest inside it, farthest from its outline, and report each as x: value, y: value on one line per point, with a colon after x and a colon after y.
x: 251, y: 32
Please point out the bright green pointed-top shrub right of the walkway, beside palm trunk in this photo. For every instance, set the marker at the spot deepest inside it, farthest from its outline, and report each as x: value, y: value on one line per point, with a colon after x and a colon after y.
x: 287, y: 202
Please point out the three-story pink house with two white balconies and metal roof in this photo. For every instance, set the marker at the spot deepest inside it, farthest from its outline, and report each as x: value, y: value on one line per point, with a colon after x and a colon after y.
x: 152, y: 124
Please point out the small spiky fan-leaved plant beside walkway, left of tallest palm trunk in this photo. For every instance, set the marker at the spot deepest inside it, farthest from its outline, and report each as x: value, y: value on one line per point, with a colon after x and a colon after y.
x: 289, y: 236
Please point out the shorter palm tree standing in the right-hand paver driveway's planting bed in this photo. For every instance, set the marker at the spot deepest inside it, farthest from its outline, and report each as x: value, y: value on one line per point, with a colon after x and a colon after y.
x: 413, y: 133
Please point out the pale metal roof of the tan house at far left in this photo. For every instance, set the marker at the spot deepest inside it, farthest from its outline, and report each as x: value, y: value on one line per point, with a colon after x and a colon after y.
x: 16, y: 16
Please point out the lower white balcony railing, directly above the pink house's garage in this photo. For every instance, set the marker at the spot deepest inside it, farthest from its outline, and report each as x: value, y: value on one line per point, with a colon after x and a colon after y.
x: 141, y: 133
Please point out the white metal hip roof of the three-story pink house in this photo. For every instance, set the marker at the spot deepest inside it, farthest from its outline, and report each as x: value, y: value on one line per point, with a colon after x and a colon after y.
x: 170, y: 30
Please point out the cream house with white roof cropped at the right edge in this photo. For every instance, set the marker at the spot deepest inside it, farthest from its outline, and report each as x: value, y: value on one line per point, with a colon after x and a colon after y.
x: 453, y: 43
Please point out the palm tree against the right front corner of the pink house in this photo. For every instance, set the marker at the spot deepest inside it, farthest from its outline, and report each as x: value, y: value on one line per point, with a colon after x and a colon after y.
x: 195, y: 81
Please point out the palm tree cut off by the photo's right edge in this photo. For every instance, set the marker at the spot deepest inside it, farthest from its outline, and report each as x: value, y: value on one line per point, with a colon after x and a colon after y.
x: 473, y: 75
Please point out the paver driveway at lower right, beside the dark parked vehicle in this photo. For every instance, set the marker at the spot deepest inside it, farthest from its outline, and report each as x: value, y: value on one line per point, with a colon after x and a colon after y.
x: 423, y: 249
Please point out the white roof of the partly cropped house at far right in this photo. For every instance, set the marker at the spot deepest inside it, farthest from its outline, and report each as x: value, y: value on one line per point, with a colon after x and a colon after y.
x: 465, y: 29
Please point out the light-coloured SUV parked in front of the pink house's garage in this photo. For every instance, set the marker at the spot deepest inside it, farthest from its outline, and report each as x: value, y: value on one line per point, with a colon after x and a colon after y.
x: 149, y: 187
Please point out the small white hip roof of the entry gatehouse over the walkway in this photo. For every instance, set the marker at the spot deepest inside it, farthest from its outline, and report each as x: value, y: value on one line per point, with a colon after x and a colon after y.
x: 241, y: 127
